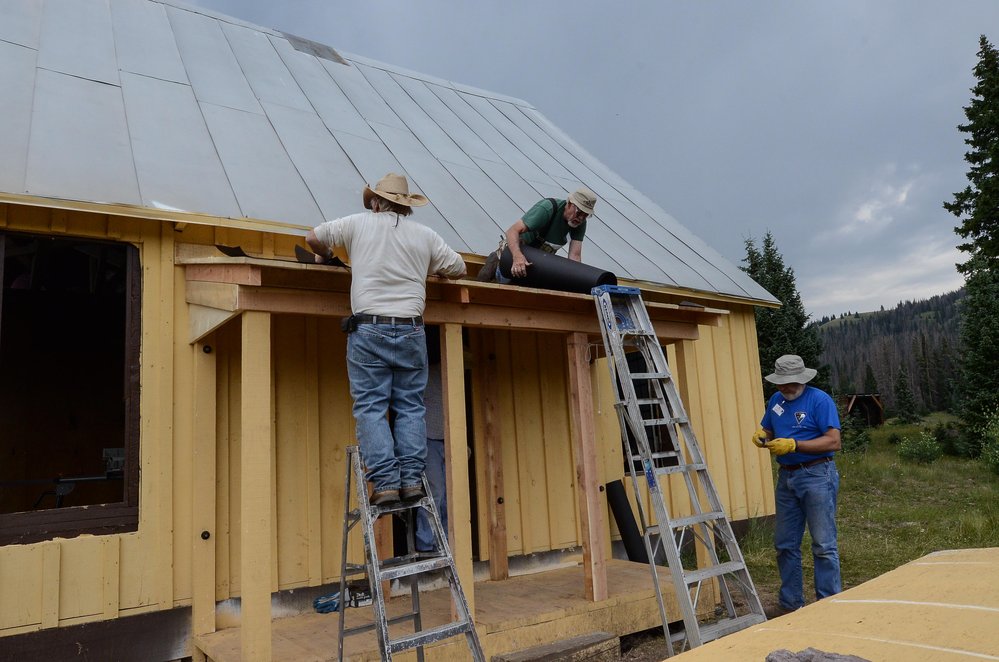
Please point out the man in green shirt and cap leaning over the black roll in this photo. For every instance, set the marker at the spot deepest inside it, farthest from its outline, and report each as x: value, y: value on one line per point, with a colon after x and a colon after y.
x: 547, y: 225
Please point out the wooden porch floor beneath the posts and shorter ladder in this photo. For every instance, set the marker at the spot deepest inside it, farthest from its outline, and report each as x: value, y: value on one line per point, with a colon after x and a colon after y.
x: 511, y: 615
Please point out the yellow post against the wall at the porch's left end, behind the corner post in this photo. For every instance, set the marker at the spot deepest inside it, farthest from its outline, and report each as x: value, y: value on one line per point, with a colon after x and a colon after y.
x: 203, y: 493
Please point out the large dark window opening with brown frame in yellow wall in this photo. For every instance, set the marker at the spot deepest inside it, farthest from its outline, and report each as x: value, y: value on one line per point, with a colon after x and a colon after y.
x: 69, y: 387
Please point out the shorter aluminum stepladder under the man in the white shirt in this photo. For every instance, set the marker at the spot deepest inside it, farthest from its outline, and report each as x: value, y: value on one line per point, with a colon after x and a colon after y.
x: 411, y: 565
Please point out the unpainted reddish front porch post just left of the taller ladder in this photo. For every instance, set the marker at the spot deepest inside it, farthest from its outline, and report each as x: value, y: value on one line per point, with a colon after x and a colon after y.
x: 591, y: 505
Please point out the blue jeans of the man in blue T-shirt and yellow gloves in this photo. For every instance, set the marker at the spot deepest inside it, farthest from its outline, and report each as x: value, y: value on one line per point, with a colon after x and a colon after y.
x: 807, y: 495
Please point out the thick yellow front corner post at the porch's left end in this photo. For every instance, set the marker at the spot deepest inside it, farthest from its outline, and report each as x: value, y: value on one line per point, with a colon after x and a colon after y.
x: 256, y: 455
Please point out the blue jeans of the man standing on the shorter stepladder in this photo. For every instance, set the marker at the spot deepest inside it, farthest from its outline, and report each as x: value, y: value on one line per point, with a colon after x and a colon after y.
x: 387, y: 366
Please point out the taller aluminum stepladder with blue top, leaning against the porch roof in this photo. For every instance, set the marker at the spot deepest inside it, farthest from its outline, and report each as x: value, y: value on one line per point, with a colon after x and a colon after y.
x: 660, y: 445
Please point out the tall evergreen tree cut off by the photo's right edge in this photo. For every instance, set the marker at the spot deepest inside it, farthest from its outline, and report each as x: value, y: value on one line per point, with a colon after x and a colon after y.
x: 977, y: 207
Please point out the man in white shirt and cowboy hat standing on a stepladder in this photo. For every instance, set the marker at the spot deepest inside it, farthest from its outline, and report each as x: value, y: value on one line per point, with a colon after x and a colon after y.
x: 390, y: 259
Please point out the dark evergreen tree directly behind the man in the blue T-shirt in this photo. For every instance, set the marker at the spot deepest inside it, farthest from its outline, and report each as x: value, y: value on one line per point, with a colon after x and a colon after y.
x: 783, y: 330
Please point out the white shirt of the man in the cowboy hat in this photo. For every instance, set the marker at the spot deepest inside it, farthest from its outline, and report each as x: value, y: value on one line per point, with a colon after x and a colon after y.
x: 390, y: 258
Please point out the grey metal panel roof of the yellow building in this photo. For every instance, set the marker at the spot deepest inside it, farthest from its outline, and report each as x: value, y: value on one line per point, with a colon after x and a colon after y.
x: 157, y: 104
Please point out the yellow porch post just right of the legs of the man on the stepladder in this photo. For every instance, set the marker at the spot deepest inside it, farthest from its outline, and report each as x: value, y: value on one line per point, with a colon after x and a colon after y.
x: 459, y: 513
